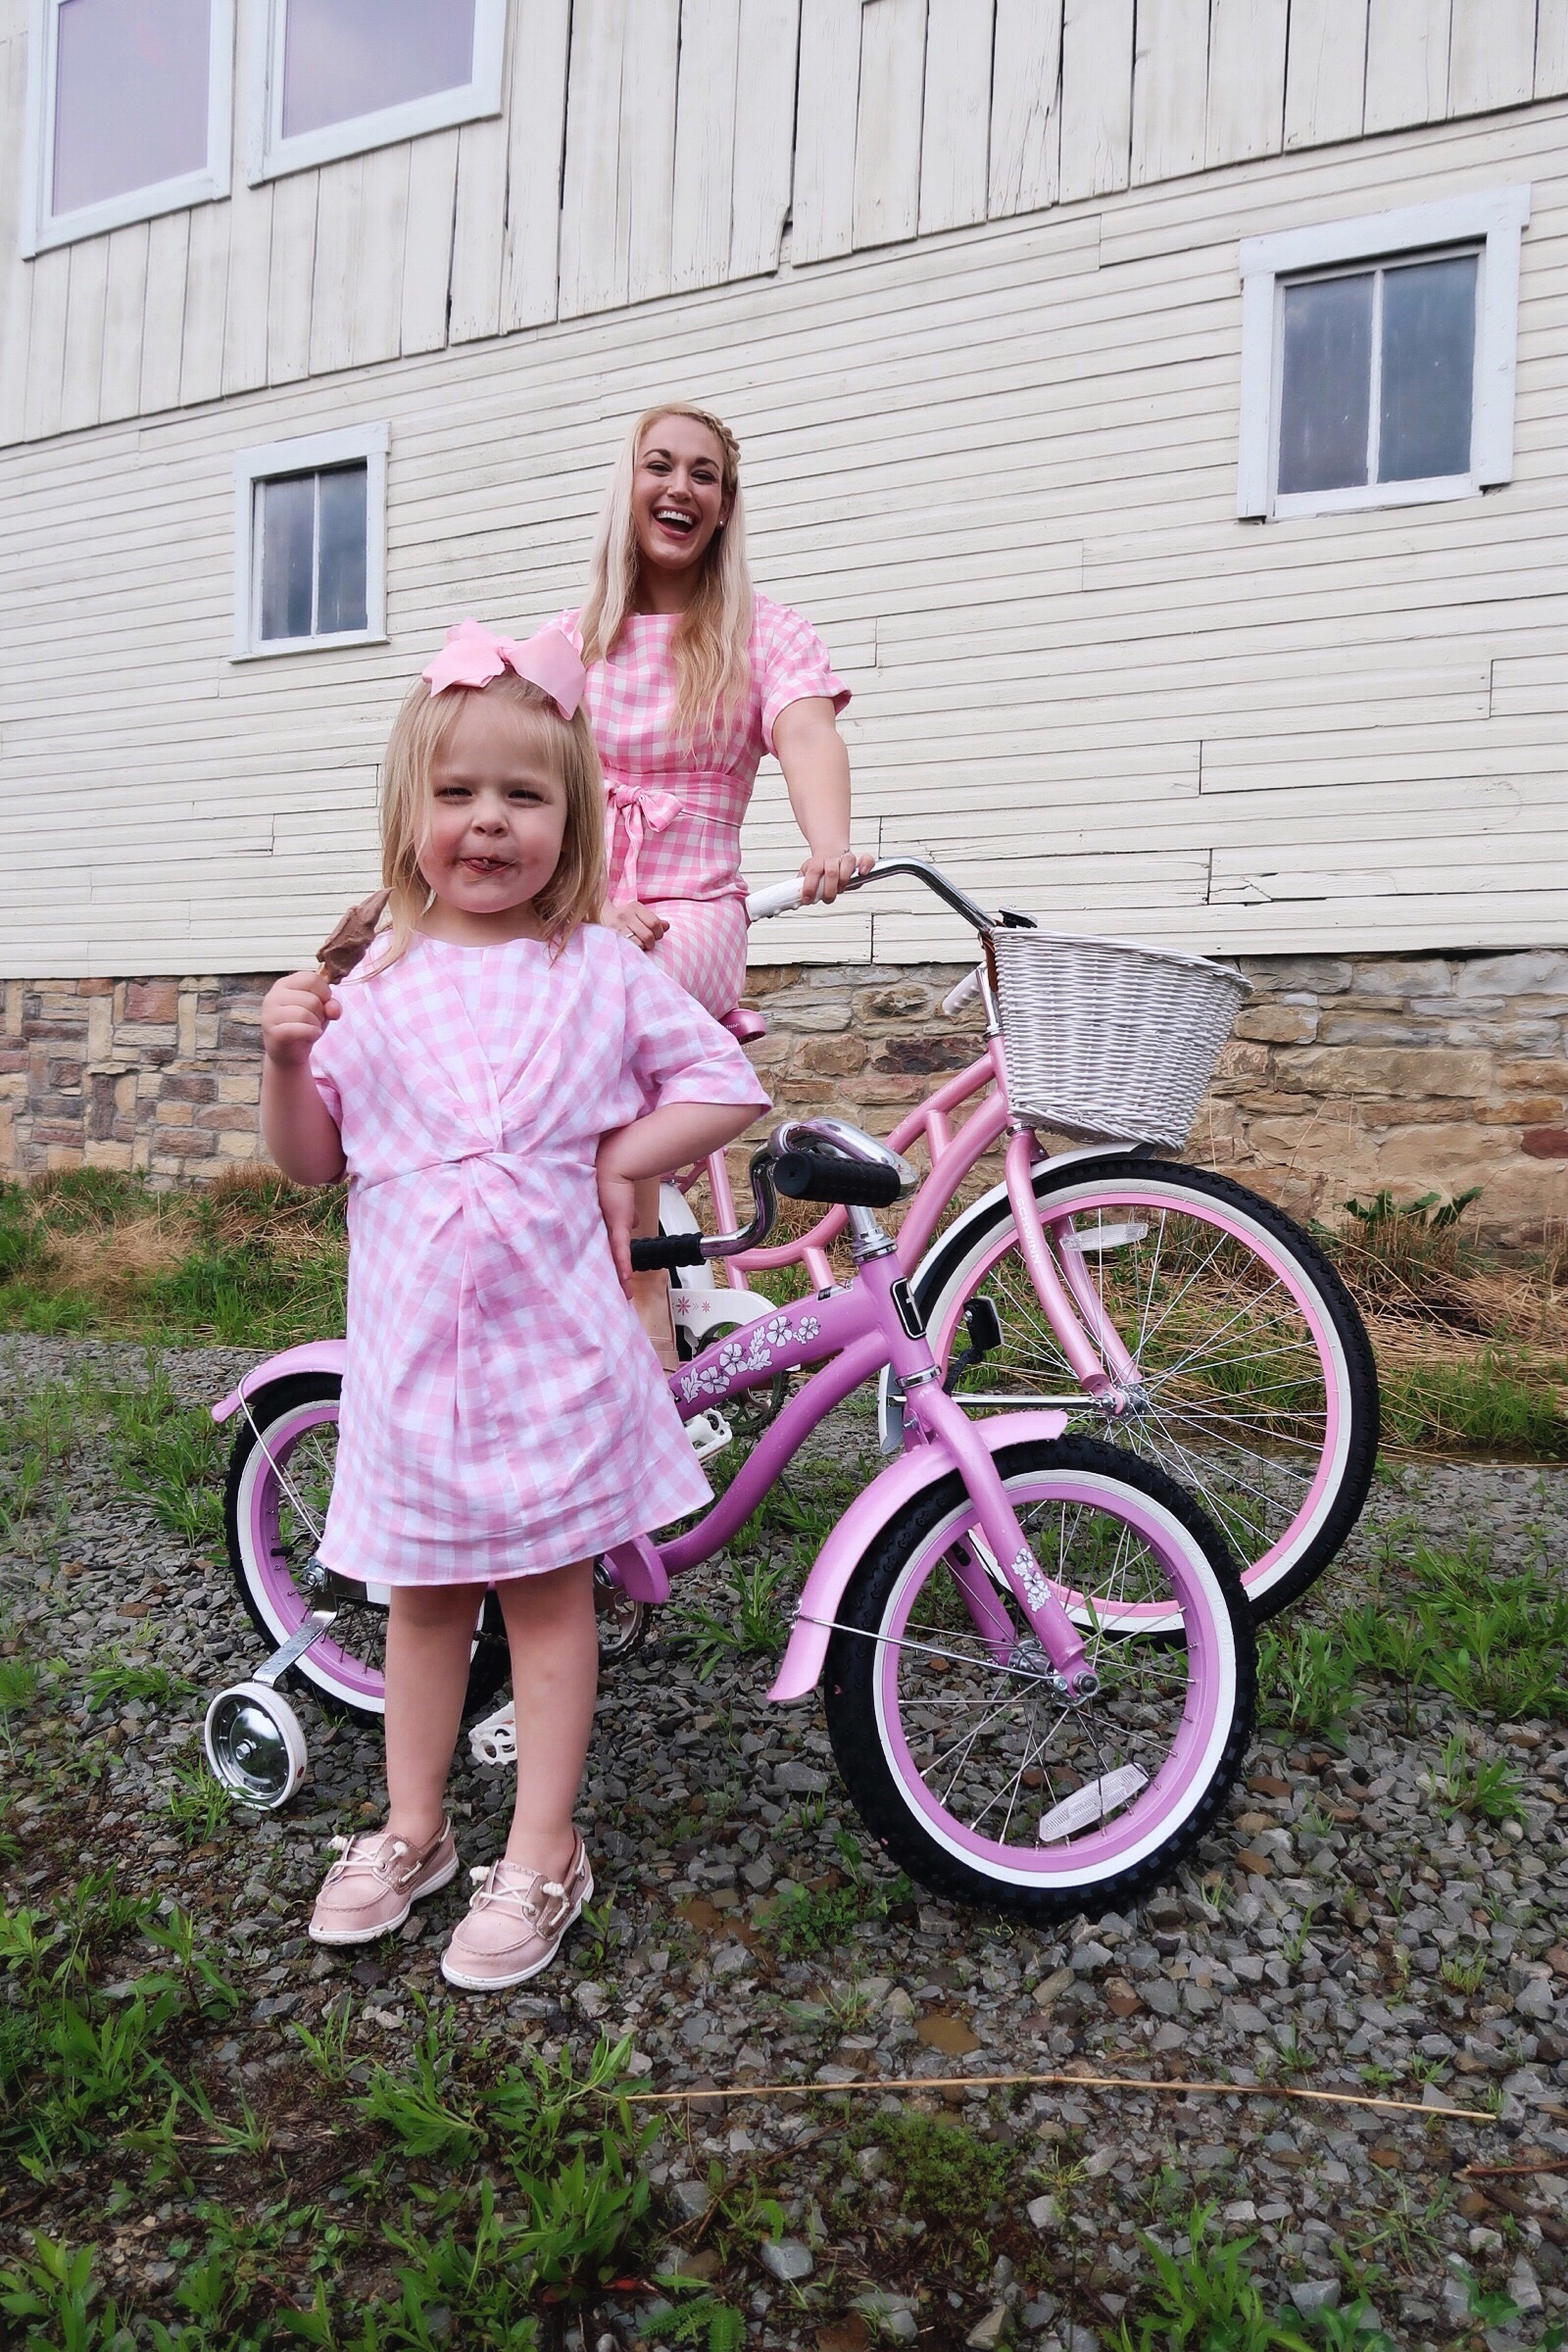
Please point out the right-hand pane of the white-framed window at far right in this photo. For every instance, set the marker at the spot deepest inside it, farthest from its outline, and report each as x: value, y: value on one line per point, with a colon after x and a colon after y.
x: 1428, y: 368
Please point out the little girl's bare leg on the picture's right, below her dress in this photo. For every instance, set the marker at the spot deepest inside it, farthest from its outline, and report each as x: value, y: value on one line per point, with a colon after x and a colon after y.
x: 556, y: 1676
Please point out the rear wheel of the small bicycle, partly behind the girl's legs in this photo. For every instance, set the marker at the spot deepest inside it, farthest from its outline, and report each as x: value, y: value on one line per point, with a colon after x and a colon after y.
x: 274, y: 1514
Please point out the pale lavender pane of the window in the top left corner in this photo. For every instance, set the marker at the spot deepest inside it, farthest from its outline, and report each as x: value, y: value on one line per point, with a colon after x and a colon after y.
x: 130, y: 98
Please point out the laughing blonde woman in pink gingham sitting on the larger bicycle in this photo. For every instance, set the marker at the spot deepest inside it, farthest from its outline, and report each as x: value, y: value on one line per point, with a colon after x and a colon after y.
x: 692, y: 679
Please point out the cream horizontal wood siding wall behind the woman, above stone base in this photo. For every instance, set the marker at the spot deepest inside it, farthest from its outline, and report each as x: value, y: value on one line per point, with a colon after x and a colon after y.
x: 998, y: 472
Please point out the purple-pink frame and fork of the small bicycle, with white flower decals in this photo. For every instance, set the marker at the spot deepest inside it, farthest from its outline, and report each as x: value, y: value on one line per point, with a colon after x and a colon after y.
x: 855, y: 1332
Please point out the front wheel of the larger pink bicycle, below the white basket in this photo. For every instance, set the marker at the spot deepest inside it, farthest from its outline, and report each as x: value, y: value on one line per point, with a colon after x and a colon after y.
x: 1257, y: 1382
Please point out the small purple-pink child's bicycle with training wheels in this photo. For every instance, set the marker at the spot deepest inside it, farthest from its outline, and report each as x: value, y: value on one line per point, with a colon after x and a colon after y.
x: 1036, y: 1657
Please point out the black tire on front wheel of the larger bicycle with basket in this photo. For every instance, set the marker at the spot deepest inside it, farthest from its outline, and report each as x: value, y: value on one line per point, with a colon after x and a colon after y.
x: 939, y: 1267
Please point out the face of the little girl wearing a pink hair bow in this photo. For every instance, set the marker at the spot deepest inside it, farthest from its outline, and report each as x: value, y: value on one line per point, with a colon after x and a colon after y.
x: 497, y: 824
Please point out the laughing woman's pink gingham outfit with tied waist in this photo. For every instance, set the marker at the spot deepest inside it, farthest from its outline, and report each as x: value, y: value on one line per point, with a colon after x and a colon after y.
x: 676, y: 808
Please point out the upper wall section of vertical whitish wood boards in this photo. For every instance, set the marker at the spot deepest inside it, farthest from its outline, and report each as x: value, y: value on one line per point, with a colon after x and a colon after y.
x: 664, y: 145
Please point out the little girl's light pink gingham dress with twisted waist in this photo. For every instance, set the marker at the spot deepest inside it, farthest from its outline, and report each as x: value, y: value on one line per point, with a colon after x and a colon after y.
x: 502, y: 1408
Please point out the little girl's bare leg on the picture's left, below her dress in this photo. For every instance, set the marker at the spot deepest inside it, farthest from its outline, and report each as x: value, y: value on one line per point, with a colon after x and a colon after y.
x: 429, y: 1636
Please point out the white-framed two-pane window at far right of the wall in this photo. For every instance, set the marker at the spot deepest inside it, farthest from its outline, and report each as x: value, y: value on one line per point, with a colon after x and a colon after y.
x: 1379, y: 359
